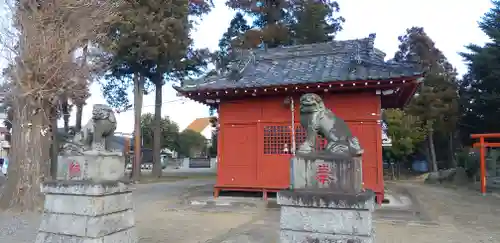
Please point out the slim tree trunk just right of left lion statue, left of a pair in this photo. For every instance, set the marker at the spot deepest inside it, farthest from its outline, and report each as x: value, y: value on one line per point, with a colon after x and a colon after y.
x: 138, y: 93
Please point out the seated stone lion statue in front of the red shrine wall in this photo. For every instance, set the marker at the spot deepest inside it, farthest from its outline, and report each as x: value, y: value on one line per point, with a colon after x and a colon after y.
x: 318, y: 120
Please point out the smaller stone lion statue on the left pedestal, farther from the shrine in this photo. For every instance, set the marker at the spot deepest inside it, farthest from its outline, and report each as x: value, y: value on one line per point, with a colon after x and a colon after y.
x: 101, y: 126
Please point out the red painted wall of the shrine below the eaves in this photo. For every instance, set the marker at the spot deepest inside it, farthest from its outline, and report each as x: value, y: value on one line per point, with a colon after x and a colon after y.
x: 248, y: 158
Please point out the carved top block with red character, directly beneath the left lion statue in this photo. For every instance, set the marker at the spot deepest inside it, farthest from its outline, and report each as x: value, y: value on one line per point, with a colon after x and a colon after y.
x: 95, y: 165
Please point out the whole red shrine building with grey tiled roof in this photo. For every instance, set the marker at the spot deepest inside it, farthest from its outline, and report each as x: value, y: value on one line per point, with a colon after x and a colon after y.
x: 257, y: 101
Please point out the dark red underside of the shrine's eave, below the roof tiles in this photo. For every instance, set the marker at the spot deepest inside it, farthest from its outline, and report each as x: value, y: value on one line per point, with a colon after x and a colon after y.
x: 394, y: 92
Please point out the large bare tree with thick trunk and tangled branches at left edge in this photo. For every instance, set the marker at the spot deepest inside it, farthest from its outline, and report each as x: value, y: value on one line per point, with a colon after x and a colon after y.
x: 39, y: 42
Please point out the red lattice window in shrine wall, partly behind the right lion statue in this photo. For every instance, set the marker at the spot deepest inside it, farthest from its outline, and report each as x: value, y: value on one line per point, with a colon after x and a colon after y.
x: 278, y: 139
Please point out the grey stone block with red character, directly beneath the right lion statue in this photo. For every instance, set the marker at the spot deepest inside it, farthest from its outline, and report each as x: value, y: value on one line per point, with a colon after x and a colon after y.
x: 323, y: 170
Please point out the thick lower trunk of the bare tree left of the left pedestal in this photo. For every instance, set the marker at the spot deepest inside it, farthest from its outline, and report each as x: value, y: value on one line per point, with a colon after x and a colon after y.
x: 29, y: 158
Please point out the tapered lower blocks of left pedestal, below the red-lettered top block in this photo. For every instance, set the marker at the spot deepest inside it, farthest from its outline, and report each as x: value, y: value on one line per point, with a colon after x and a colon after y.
x: 87, y: 212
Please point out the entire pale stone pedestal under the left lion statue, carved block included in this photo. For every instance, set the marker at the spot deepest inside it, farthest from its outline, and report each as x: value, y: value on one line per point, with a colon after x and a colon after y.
x: 88, y: 203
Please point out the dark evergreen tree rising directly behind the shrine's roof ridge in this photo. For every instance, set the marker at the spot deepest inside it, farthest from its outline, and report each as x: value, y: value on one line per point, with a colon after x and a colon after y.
x: 288, y: 22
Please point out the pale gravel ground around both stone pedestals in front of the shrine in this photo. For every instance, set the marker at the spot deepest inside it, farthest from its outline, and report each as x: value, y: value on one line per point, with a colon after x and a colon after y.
x: 455, y: 216
